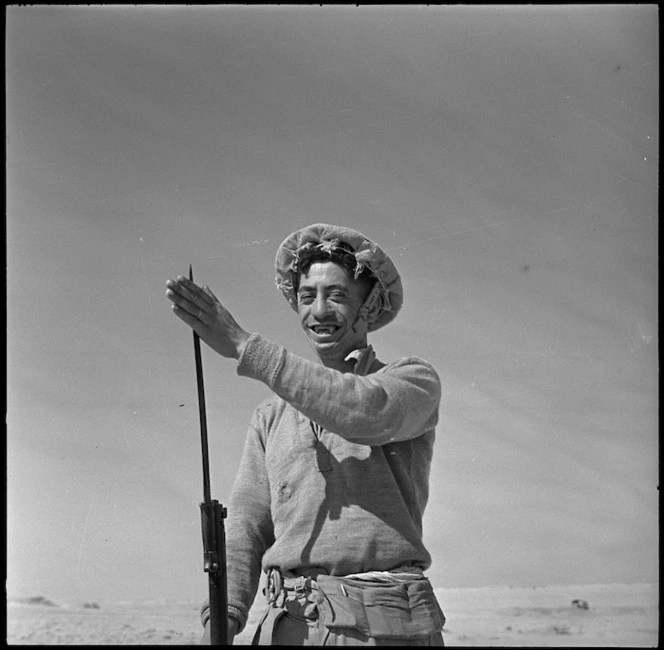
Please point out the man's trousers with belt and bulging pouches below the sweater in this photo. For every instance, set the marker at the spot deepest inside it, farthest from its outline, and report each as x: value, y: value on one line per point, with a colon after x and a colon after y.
x: 341, y: 611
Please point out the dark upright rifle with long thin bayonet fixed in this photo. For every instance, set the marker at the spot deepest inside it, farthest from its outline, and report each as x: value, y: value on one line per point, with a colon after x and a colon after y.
x: 212, y: 520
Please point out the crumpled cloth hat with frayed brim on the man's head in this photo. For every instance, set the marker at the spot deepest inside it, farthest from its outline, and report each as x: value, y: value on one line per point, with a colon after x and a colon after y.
x: 367, y: 255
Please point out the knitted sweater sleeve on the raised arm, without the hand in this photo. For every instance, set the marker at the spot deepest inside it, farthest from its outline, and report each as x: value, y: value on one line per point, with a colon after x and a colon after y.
x: 399, y: 402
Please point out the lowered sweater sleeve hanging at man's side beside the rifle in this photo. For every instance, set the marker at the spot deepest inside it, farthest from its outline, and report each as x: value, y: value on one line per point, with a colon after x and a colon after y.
x: 249, y: 530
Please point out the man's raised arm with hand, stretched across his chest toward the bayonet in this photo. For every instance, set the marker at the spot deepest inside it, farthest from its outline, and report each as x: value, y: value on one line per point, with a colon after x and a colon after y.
x: 396, y: 403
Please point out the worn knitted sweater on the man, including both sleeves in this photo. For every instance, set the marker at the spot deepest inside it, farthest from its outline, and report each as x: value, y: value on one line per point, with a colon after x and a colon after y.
x: 334, y: 476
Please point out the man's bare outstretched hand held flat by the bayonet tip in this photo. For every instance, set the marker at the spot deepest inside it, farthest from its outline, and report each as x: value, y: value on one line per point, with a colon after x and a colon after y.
x: 202, y: 311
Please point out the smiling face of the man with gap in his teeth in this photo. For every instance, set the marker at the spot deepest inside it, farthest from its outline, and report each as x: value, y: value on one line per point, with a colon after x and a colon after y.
x: 328, y: 301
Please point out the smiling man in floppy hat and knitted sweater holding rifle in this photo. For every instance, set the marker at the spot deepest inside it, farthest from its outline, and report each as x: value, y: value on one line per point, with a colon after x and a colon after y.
x: 334, y: 477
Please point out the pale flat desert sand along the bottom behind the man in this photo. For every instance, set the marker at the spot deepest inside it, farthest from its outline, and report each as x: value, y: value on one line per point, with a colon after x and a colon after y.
x: 618, y: 615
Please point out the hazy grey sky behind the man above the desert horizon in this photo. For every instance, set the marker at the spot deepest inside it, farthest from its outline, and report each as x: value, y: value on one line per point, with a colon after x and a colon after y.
x: 505, y: 157
